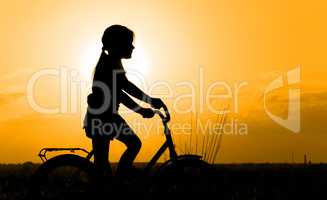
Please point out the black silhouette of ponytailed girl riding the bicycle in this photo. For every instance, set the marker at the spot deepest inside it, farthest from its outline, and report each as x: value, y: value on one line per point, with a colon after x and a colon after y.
x: 110, y: 88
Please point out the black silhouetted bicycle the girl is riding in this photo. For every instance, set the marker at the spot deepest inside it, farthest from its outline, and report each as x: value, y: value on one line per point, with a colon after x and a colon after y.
x: 176, y: 174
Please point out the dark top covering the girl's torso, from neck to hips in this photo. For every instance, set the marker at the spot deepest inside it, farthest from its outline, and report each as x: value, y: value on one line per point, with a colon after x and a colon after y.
x: 103, y: 103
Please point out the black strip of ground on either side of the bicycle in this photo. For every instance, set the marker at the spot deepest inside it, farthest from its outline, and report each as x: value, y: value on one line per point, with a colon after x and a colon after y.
x: 229, y: 181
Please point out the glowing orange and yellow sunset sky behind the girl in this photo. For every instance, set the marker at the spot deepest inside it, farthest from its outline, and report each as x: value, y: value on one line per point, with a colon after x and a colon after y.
x: 181, y: 48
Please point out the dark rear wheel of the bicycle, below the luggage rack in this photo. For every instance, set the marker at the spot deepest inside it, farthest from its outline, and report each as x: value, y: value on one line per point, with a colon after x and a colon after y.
x: 63, y: 177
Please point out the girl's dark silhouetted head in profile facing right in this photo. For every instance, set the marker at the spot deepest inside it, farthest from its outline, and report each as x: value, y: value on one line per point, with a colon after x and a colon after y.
x: 118, y: 41
